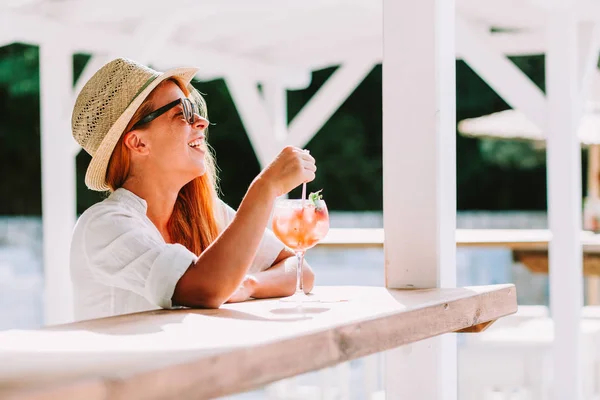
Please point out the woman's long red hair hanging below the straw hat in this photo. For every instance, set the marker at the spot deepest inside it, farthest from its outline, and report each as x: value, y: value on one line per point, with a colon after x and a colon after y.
x: 193, y: 222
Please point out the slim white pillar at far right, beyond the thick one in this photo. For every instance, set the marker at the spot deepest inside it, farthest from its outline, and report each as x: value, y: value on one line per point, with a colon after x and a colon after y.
x: 564, y: 198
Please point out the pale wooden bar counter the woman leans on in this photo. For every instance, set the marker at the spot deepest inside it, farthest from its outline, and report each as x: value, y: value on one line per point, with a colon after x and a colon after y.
x: 199, y: 354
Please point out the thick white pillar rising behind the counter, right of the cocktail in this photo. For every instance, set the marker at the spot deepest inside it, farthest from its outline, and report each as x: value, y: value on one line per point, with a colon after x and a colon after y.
x: 419, y: 163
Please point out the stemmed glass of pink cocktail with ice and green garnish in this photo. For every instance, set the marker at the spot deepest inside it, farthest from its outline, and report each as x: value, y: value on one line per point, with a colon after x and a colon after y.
x: 300, y: 225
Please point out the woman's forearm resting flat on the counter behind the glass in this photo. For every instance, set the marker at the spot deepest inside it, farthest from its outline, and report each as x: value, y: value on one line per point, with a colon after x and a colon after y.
x: 280, y: 280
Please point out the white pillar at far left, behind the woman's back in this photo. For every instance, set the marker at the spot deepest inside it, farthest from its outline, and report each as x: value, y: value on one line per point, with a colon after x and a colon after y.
x: 58, y: 180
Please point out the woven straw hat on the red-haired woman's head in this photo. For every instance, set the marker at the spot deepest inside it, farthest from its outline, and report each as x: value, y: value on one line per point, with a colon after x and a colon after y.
x: 106, y: 105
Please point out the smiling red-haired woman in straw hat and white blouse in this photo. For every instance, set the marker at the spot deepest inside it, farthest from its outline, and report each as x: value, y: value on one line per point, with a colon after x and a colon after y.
x: 163, y: 238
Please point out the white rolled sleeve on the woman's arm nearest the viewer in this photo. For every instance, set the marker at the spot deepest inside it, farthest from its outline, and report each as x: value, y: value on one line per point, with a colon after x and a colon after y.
x: 123, y: 251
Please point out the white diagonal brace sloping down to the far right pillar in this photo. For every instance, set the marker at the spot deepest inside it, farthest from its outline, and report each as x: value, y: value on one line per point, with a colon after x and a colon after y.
x: 500, y: 73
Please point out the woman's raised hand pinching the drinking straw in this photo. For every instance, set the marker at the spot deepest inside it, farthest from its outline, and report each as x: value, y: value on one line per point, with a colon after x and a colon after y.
x: 291, y: 168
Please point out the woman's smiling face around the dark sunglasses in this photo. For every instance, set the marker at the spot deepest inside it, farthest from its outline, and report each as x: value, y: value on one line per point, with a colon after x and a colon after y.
x: 175, y: 148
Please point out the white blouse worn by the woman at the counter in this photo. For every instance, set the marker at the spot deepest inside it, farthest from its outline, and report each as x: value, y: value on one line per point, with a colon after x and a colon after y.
x: 121, y: 264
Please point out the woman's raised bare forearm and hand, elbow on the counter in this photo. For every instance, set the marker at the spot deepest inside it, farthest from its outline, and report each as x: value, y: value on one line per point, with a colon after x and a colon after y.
x: 222, y: 266
